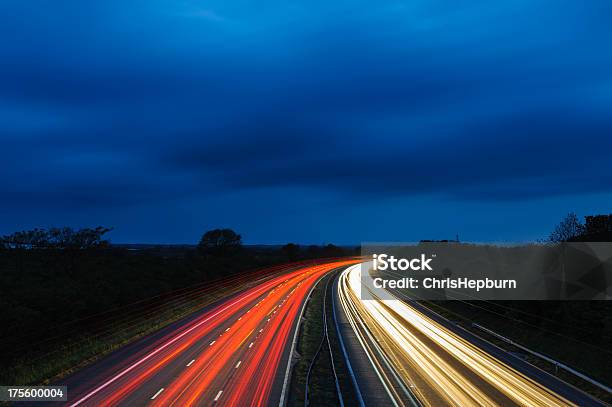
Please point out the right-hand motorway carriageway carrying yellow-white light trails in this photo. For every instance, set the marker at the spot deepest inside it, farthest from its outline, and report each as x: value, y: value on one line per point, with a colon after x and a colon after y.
x: 419, y: 360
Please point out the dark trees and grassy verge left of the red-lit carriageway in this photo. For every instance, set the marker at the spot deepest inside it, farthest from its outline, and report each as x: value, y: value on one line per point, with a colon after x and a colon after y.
x: 68, y: 297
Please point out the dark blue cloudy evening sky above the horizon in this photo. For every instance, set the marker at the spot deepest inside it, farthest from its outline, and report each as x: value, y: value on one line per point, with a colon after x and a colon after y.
x: 307, y: 121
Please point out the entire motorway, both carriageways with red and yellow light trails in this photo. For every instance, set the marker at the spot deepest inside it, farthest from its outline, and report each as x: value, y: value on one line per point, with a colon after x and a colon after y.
x: 237, y: 351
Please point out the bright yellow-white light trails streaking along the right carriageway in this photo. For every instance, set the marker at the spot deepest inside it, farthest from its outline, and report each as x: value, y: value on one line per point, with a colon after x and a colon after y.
x: 427, y: 360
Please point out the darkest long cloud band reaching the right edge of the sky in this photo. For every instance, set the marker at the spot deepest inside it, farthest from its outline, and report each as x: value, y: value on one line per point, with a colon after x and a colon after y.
x: 534, y: 154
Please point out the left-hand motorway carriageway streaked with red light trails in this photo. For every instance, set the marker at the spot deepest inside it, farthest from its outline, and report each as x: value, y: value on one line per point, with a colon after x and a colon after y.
x: 234, y: 353
